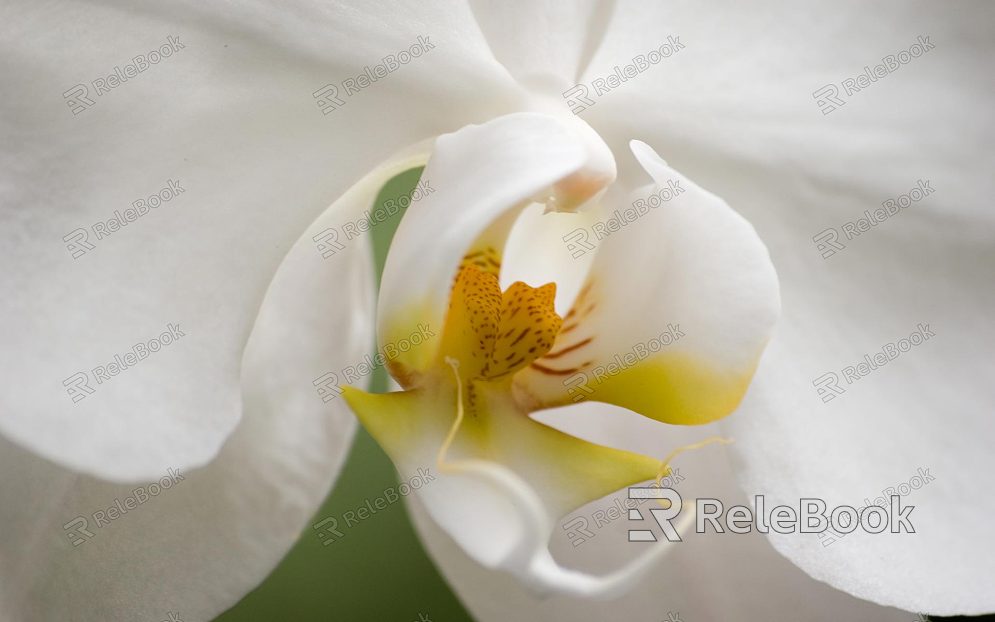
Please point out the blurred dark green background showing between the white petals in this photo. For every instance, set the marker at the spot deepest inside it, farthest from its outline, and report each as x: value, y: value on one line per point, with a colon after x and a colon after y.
x: 378, y: 571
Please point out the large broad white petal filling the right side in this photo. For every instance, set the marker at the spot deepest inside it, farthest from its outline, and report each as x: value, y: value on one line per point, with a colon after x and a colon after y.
x: 738, y: 114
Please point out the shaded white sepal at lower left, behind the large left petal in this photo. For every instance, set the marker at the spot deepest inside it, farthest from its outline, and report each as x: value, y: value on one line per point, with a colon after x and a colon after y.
x: 200, y: 545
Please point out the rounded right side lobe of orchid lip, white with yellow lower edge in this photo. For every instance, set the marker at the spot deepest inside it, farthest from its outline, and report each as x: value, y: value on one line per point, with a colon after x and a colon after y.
x: 705, y: 298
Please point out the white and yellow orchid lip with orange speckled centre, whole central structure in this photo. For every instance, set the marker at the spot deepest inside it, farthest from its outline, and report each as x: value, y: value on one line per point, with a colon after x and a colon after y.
x: 701, y: 279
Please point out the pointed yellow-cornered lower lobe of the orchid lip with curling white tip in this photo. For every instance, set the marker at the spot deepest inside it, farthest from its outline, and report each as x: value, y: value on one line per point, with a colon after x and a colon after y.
x: 501, y: 508
